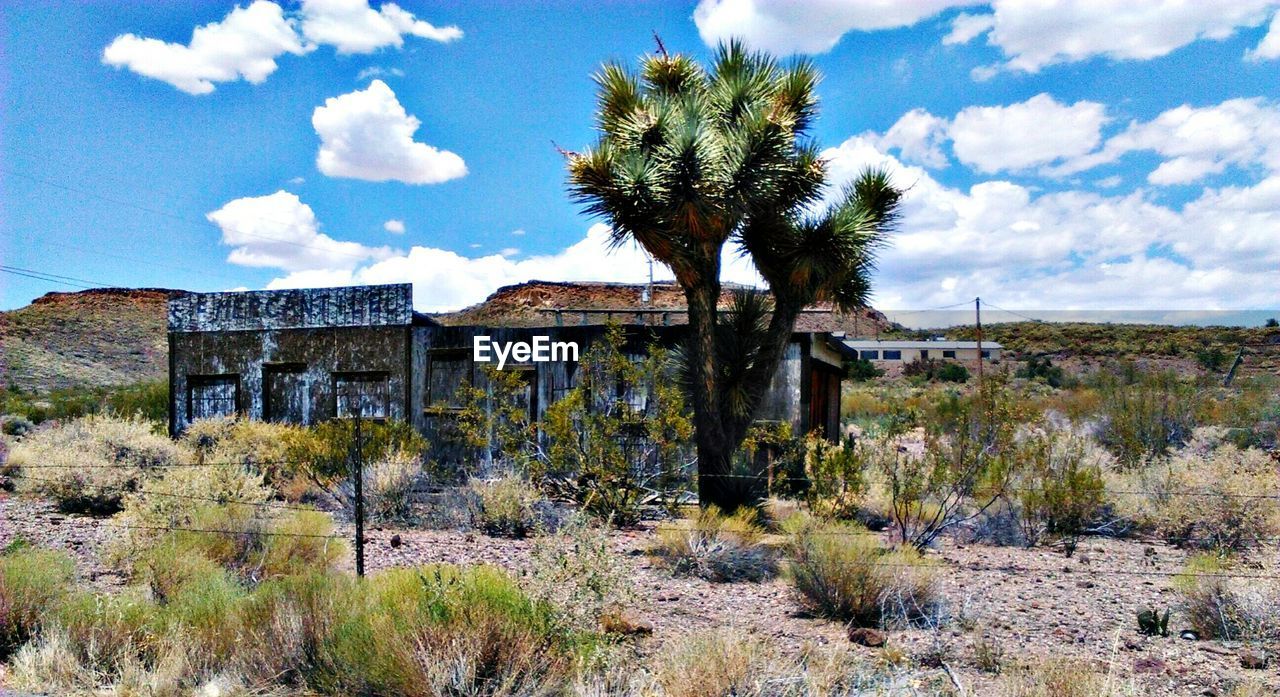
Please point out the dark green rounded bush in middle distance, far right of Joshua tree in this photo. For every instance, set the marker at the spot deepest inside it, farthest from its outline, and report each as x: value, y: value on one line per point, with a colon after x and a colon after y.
x: 1145, y: 415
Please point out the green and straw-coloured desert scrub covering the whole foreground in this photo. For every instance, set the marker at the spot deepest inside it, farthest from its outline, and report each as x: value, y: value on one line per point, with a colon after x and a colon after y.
x: 231, y: 547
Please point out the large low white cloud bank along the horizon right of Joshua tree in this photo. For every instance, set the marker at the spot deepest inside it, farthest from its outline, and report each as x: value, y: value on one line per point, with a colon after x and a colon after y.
x: 1072, y: 250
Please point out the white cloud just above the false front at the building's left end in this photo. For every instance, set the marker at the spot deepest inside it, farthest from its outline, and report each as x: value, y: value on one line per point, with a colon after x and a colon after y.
x: 281, y: 232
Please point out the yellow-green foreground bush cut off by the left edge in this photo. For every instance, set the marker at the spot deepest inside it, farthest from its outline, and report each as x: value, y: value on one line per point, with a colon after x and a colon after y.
x: 31, y: 583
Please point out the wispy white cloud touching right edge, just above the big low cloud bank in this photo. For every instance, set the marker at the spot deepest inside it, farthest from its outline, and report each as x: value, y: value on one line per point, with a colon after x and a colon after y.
x: 1197, y: 141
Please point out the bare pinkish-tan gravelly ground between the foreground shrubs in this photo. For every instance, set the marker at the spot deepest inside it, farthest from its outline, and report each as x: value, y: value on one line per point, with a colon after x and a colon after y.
x: 1032, y: 604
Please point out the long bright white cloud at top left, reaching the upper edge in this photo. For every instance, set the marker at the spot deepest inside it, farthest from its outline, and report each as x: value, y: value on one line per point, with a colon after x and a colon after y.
x: 246, y: 43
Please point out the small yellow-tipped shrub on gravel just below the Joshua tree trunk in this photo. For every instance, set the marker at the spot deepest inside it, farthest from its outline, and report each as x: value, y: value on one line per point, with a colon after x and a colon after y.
x: 717, y: 548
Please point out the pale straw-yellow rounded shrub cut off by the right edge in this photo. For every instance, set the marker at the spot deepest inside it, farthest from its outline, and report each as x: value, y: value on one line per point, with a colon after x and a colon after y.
x: 1210, y: 501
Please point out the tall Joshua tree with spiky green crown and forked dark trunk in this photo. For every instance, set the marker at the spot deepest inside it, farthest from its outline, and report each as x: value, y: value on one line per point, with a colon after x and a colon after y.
x: 691, y: 159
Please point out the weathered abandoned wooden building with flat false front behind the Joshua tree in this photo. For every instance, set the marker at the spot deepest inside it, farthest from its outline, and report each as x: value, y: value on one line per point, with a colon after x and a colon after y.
x: 309, y: 356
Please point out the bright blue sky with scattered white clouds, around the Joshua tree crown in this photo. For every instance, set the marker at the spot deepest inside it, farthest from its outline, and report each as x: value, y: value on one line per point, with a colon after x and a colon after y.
x: 1060, y: 158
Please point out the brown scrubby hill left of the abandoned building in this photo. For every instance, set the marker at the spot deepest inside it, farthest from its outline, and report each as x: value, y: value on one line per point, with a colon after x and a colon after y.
x: 86, y: 340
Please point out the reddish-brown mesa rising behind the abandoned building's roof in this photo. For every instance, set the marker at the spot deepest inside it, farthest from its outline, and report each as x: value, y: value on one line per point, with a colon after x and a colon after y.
x: 552, y: 304
